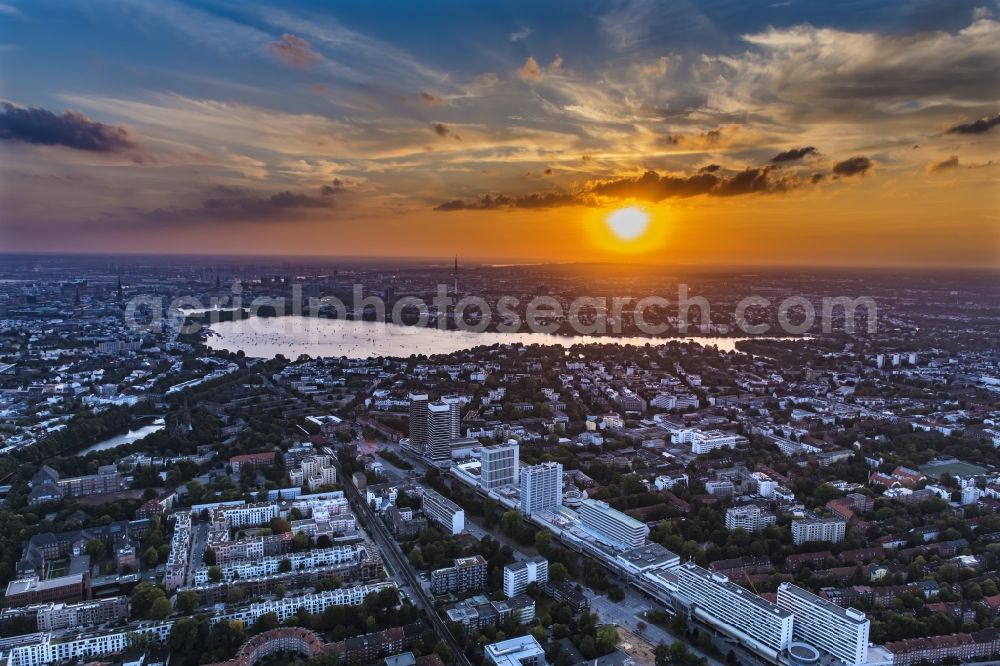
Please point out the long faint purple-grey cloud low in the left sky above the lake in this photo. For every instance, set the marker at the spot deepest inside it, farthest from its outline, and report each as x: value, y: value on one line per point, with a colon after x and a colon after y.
x: 238, y: 206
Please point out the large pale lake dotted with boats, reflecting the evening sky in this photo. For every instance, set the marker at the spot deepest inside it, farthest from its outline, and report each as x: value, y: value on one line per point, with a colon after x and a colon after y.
x: 291, y: 336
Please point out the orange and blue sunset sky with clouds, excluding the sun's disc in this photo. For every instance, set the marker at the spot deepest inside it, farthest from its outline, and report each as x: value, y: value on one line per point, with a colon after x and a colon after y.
x: 776, y: 132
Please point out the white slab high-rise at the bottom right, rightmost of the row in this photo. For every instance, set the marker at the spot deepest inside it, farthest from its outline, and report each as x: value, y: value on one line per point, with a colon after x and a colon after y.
x: 843, y: 632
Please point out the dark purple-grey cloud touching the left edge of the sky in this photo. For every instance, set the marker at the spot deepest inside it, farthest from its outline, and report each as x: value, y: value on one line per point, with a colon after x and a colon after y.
x: 71, y: 129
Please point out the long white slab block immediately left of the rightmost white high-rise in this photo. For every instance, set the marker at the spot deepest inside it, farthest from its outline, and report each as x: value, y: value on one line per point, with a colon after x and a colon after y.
x: 758, y: 624
